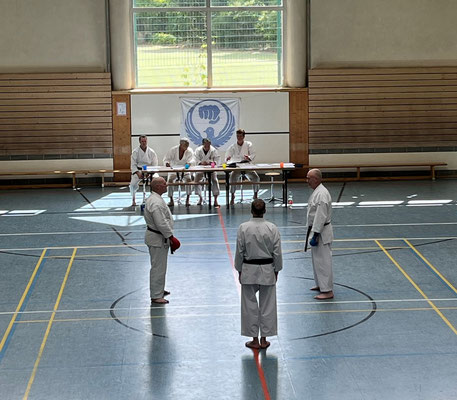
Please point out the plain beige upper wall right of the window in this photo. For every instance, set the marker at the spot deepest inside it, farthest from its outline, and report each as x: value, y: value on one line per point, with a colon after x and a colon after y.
x: 375, y: 33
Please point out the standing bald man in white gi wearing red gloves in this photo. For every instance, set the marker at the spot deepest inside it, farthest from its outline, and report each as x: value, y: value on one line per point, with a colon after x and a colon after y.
x: 158, y: 237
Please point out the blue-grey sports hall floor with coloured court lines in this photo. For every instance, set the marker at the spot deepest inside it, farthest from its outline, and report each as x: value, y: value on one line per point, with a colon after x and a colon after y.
x: 76, y: 322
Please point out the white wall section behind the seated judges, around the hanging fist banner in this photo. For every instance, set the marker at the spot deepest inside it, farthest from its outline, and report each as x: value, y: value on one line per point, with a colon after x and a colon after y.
x: 160, y: 114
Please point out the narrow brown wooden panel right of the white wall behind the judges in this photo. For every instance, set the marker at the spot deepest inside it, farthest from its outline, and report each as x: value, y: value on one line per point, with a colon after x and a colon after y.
x: 298, y: 128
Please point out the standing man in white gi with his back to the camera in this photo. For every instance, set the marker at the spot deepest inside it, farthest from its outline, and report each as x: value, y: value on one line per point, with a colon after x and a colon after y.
x: 258, y: 260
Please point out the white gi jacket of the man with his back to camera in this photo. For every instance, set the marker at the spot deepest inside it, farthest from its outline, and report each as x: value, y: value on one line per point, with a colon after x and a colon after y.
x: 258, y: 239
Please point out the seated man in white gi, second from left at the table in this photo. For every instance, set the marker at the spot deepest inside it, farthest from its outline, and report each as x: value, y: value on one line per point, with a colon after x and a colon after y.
x: 179, y: 155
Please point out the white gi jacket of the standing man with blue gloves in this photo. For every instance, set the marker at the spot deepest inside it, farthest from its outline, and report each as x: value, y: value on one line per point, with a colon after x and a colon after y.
x: 320, y: 213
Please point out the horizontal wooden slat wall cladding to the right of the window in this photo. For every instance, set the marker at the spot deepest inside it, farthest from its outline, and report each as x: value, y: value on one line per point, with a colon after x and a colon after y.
x: 382, y: 108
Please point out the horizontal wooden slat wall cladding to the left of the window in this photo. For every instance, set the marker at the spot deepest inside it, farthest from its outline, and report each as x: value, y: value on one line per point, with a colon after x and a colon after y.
x: 58, y: 113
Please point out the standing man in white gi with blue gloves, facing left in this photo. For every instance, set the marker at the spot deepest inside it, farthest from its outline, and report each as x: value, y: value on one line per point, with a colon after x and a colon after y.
x: 320, y: 230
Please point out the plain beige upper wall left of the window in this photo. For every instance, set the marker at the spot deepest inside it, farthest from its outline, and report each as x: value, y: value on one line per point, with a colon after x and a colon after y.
x: 52, y: 35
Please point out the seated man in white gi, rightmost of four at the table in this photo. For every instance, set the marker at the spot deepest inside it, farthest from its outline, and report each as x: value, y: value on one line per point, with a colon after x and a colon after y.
x: 241, y: 152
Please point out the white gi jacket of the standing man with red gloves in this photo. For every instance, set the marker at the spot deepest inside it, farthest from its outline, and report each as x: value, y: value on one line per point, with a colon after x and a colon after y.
x: 157, y: 216
